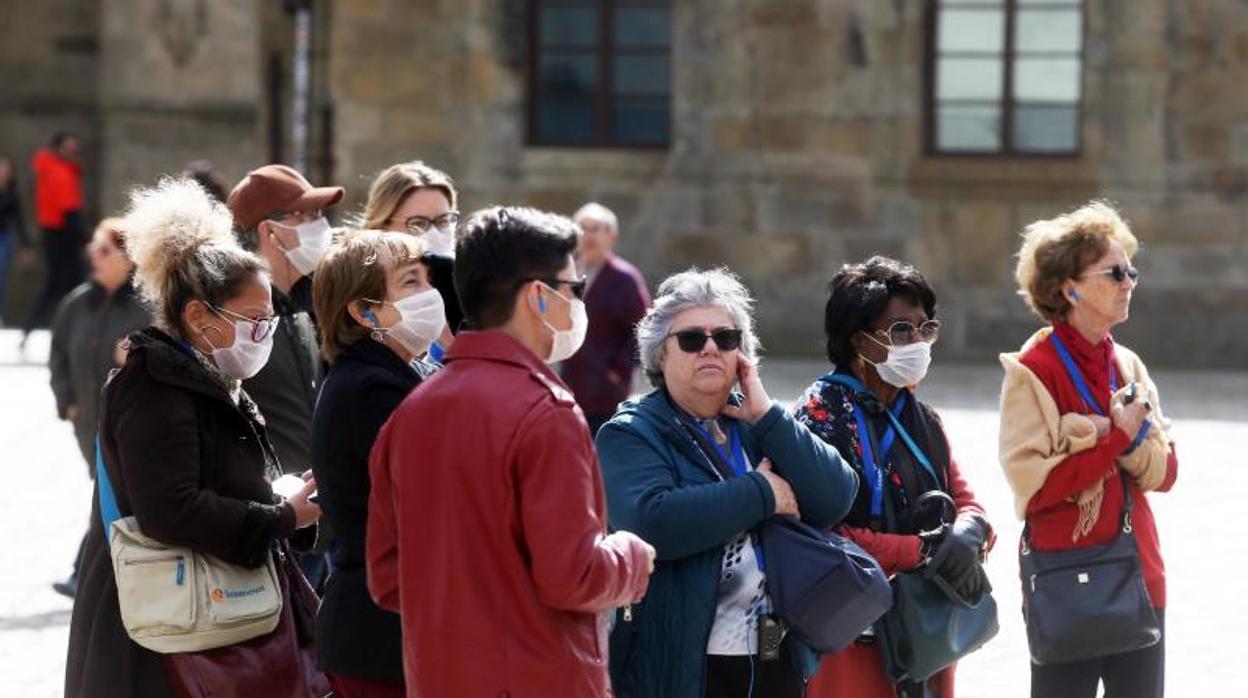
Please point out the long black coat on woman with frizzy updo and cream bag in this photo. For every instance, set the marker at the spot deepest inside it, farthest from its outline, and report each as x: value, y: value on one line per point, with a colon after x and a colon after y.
x: 193, y: 468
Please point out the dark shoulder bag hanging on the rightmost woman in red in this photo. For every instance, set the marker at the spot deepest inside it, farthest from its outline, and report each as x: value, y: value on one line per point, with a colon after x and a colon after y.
x: 1090, y: 602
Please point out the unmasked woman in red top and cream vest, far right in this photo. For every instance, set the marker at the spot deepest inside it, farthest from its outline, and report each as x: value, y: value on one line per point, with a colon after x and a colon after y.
x: 1069, y: 430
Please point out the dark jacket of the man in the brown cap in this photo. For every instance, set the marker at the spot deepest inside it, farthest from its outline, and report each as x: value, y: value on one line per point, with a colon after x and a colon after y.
x: 286, y: 388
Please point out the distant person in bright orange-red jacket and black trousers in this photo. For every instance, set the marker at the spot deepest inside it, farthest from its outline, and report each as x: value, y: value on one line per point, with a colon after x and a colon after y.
x: 59, y: 215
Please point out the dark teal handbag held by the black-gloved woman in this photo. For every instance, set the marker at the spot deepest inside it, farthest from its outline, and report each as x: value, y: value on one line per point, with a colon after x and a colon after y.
x: 932, y: 626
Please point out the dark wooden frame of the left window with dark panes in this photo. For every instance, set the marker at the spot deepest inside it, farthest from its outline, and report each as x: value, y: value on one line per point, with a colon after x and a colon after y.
x: 606, y: 53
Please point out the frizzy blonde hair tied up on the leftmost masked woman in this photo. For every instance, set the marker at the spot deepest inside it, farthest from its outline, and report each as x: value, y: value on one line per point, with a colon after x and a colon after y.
x: 184, y: 249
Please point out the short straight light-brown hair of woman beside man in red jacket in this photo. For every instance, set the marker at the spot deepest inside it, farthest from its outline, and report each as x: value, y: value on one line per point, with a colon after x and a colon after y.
x: 356, y: 268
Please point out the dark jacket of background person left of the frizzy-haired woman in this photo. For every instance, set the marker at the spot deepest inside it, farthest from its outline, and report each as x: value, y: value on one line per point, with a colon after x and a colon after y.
x: 87, y: 329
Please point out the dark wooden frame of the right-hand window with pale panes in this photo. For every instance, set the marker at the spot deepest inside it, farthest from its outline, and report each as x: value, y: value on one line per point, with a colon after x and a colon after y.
x: 1008, y: 150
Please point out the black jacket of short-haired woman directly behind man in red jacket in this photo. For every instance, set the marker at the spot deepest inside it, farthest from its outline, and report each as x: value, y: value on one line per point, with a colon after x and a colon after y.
x: 355, y: 637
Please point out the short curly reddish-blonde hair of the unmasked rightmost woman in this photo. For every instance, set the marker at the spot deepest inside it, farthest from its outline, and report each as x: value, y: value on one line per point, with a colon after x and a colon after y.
x: 1060, y: 249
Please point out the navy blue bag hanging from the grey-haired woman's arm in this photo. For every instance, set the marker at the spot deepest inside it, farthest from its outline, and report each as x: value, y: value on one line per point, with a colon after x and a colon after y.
x: 823, y: 586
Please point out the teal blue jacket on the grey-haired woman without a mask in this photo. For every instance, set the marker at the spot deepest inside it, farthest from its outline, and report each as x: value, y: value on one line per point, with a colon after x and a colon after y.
x: 662, y: 486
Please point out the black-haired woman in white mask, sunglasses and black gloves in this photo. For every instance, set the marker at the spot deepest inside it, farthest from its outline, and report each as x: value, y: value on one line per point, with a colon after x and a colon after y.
x: 880, y: 327
